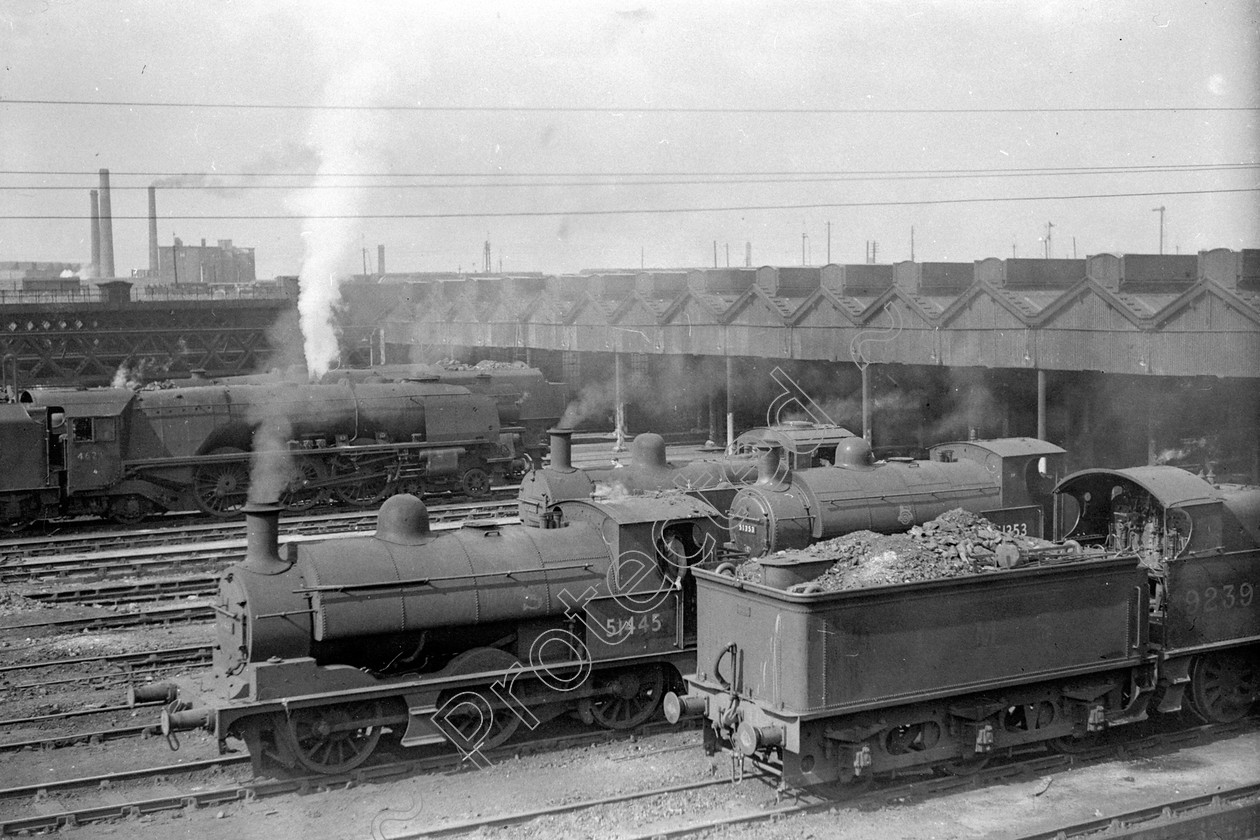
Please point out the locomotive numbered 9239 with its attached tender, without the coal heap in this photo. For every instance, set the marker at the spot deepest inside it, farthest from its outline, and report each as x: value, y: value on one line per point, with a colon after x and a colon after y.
x: 835, y: 687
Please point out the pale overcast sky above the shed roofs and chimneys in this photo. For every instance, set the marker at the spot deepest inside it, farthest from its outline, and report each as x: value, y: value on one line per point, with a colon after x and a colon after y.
x: 556, y: 114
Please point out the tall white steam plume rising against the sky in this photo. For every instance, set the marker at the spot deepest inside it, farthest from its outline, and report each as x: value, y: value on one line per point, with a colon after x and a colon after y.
x: 332, y: 232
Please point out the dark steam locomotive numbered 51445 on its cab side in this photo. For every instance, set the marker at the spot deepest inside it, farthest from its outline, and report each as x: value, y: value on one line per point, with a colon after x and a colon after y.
x: 461, y: 637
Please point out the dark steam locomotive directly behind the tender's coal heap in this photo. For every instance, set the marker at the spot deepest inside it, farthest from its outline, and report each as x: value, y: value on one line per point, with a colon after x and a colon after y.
x: 1007, y: 480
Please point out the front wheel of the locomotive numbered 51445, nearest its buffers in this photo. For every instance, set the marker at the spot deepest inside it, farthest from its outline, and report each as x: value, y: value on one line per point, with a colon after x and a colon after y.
x: 332, y: 739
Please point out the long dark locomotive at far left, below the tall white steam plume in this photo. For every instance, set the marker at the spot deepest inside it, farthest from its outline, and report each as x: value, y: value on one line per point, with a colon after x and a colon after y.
x: 125, y: 454
